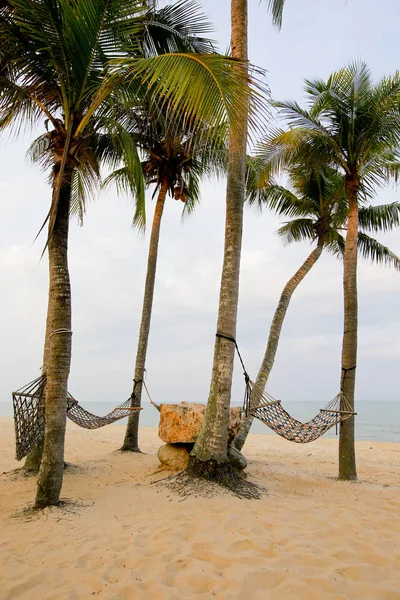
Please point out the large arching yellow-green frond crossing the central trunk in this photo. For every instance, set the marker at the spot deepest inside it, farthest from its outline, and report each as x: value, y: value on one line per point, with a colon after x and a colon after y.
x: 205, y: 88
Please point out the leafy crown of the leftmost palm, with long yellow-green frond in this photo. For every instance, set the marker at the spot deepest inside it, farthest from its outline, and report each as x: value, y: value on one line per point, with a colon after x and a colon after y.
x: 65, y: 58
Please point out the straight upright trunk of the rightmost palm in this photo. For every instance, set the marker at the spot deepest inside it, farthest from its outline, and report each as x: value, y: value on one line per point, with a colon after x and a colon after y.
x: 347, y: 457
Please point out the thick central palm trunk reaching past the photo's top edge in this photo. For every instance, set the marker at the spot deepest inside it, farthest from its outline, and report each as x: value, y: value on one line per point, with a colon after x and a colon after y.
x: 209, y: 456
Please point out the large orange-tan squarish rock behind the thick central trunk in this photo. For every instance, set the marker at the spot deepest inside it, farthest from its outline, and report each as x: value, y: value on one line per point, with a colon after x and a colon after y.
x: 180, y: 423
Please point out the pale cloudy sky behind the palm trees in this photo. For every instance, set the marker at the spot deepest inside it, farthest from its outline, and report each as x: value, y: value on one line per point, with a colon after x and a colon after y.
x: 108, y: 258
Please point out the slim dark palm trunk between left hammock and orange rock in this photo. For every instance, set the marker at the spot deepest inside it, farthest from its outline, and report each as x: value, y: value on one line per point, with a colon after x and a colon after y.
x: 132, y: 430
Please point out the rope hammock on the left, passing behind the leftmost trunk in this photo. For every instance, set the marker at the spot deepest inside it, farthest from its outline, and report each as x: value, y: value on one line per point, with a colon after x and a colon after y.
x: 29, y: 415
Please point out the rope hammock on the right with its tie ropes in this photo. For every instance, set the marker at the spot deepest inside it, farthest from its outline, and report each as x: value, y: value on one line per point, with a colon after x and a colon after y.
x: 270, y: 411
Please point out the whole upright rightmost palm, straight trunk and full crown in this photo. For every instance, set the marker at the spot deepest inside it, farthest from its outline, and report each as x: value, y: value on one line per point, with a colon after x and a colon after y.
x: 353, y: 124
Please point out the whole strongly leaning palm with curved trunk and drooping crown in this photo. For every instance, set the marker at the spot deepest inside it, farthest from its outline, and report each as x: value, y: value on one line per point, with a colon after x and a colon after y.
x: 317, y: 207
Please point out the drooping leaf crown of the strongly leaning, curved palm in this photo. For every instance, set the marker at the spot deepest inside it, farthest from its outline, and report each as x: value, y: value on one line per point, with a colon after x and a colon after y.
x: 317, y: 207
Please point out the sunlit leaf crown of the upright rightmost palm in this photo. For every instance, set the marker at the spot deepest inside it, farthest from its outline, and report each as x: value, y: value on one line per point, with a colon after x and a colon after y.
x: 350, y: 122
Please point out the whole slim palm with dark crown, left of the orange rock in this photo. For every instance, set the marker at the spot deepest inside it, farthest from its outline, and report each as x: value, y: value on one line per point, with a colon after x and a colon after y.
x: 176, y: 158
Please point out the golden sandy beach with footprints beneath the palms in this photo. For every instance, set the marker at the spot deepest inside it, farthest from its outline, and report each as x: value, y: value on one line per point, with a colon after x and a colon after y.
x: 123, y: 537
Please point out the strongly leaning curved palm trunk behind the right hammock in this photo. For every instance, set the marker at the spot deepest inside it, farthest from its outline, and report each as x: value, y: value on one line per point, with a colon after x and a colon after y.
x: 273, y: 340
